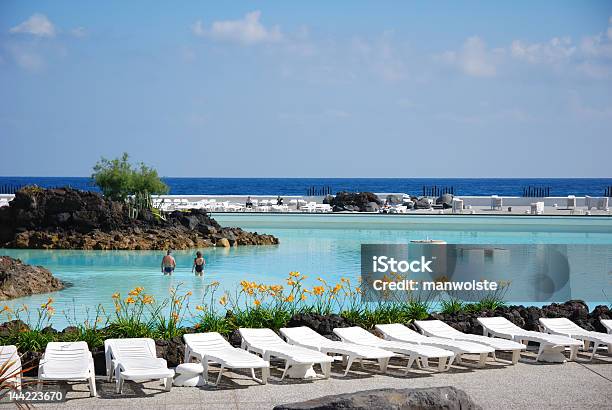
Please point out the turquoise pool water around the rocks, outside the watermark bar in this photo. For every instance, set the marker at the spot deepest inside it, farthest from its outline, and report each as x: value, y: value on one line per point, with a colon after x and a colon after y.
x: 330, y: 250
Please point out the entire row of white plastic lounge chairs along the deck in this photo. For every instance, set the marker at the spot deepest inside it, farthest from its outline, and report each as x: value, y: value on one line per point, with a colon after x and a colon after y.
x: 136, y: 359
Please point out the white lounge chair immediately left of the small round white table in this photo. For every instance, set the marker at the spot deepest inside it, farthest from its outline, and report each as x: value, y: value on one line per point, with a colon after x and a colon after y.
x: 135, y: 359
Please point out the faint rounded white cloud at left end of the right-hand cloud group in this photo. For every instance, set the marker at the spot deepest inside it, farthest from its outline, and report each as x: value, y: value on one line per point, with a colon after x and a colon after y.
x: 474, y: 58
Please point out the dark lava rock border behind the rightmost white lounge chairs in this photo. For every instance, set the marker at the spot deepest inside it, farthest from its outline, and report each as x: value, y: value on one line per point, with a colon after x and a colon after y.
x: 528, y: 317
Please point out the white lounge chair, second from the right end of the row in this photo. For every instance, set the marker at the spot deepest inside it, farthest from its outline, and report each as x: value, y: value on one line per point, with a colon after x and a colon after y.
x: 551, y: 346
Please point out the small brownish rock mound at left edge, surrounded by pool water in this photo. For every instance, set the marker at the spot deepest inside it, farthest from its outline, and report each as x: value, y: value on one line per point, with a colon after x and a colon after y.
x: 18, y: 279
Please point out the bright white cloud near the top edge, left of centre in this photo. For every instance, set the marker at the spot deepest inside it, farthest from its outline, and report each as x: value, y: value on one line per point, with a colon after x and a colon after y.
x: 246, y: 31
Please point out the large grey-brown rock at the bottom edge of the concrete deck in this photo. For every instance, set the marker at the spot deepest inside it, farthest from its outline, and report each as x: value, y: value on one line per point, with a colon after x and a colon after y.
x: 446, y: 397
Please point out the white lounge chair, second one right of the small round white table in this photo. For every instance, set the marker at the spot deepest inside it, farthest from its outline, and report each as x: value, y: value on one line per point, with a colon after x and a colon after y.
x: 298, y: 360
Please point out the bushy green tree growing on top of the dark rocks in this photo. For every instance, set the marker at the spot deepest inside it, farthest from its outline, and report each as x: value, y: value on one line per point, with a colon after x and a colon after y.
x: 118, y: 178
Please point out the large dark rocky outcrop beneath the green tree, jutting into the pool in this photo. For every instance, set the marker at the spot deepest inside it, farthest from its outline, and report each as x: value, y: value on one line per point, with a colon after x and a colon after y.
x: 69, y: 219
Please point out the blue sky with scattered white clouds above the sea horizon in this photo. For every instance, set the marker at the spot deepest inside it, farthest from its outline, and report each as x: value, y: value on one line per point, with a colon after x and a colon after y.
x: 308, y: 89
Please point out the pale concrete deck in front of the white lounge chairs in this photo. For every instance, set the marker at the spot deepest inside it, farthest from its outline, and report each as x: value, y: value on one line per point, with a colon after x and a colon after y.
x: 522, y: 386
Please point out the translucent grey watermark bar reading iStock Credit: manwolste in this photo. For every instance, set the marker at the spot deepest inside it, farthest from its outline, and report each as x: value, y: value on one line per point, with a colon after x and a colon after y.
x: 530, y: 273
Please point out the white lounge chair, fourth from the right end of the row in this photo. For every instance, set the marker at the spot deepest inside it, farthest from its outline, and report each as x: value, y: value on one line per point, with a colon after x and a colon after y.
x: 400, y: 333
